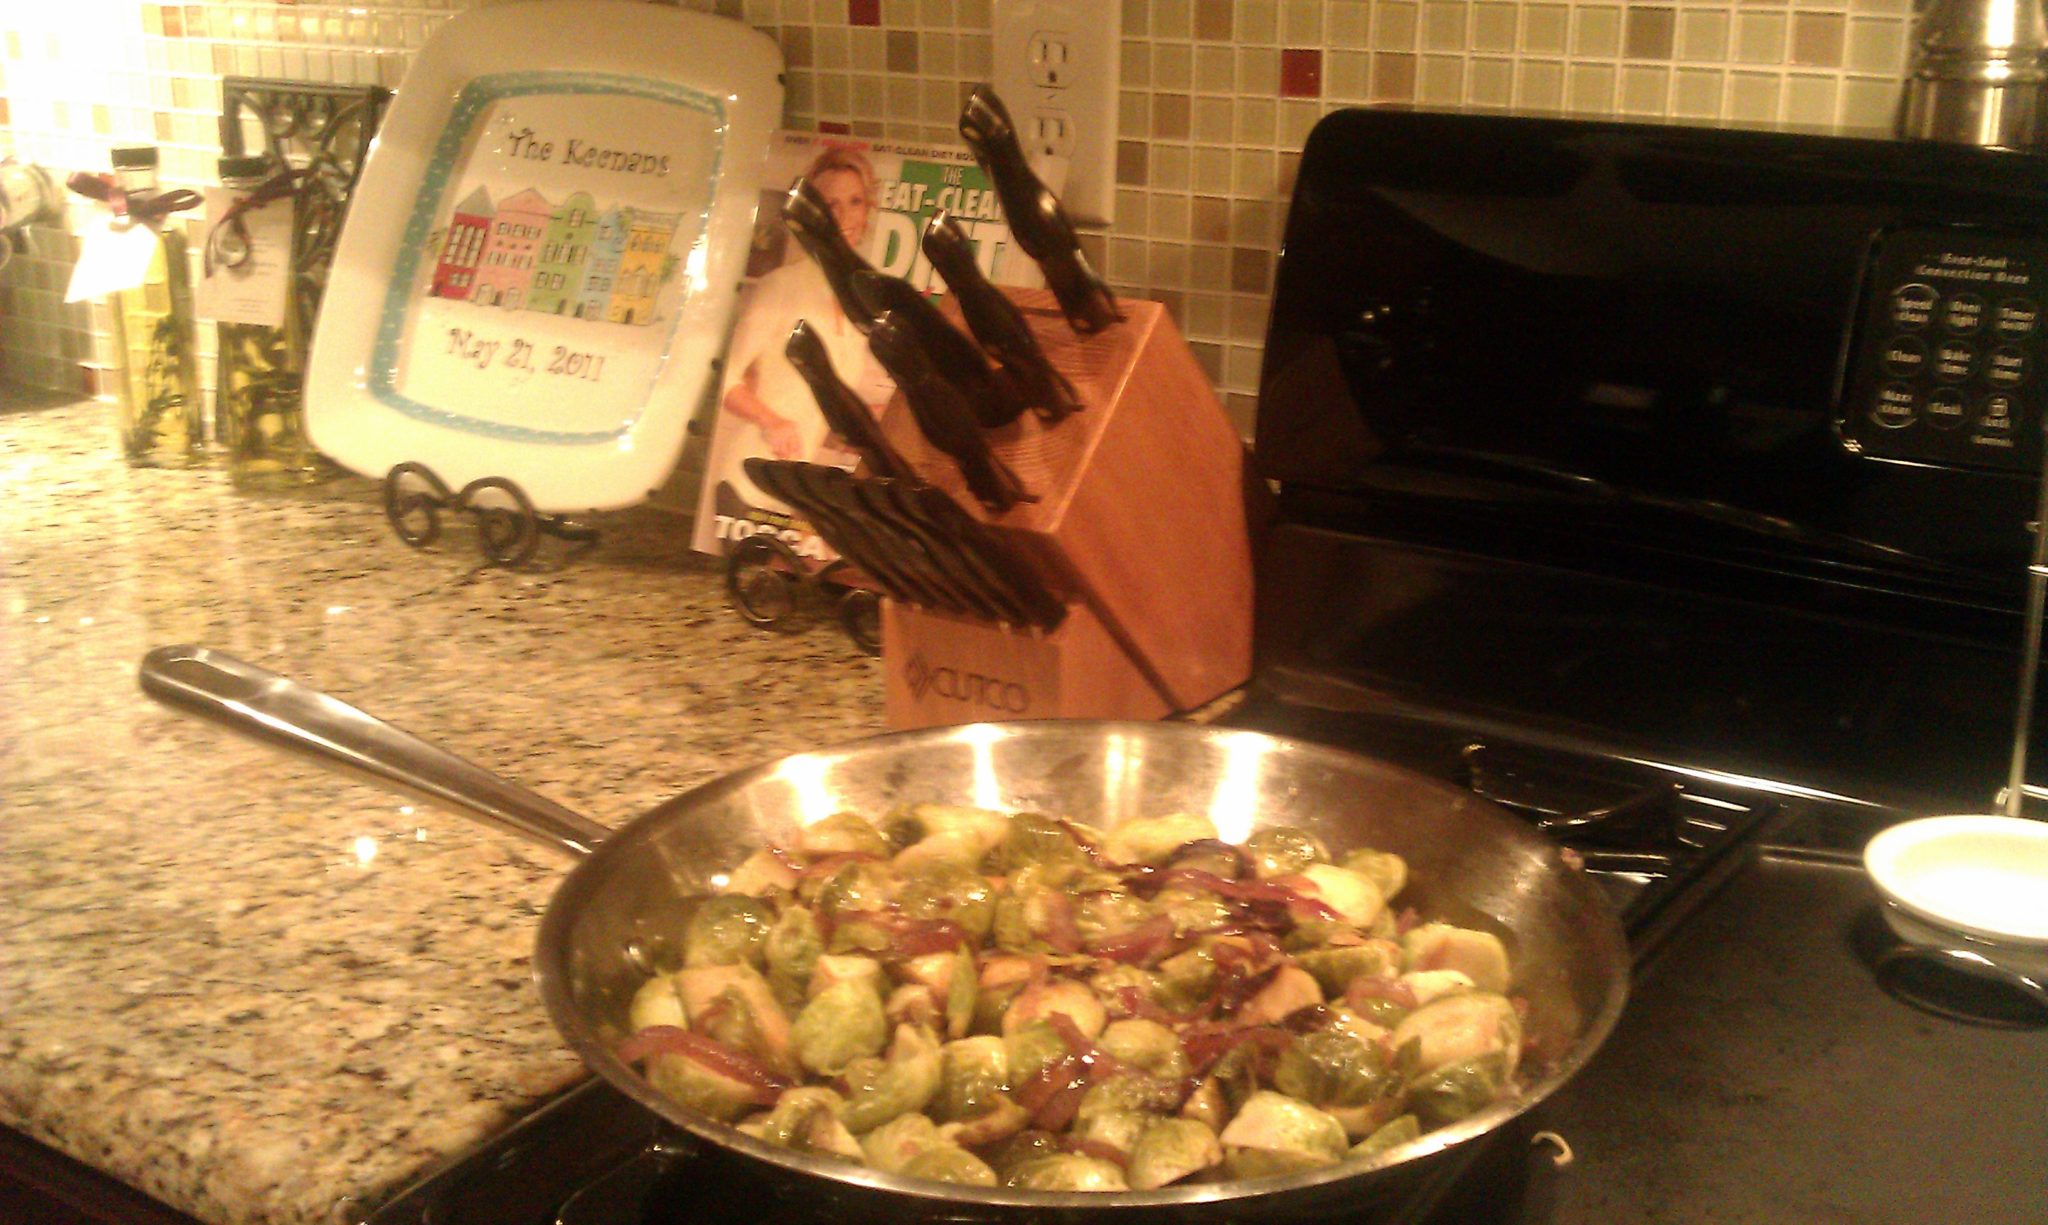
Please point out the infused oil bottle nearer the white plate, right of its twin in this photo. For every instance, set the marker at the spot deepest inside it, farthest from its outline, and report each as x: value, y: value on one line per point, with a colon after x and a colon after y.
x: 261, y: 376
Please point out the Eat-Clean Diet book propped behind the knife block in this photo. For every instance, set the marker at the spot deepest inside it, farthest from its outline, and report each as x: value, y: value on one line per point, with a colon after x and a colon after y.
x: 882, y: 198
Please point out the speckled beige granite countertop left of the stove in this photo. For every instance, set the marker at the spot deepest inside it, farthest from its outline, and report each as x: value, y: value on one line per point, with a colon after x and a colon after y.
x: 265, y: 992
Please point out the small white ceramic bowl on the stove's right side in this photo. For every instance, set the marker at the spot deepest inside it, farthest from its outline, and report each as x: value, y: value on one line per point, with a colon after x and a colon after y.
x: 1979, y: 876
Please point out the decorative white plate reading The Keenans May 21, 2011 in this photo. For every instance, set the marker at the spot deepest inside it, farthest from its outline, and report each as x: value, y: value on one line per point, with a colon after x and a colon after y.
x: 544, y: 253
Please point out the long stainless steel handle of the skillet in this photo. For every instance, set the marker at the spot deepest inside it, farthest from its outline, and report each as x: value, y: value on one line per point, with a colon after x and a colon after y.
x: 304, y: 720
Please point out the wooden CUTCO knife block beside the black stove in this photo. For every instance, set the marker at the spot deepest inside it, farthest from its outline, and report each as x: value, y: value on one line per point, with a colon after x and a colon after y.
x: 1140, y: 521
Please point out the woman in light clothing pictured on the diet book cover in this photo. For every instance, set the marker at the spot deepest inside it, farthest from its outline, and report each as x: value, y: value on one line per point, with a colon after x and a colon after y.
x: 767, y: 407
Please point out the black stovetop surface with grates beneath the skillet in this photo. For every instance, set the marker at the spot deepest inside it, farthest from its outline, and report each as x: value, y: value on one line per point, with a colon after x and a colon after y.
x: 1719, y: 1038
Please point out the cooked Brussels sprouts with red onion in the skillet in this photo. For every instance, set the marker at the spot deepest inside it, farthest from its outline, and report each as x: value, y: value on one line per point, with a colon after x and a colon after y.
x: 1021, y: 1001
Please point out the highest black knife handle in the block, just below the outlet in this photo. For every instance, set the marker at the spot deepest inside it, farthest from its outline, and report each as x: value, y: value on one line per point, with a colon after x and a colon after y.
x: 1035, y: 216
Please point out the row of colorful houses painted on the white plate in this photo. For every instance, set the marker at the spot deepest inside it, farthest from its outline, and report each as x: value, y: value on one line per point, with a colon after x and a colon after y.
x: 527, y: 255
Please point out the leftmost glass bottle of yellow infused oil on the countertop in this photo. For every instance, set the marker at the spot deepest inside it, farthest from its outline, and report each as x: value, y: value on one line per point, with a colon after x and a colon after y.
x: 153, y: 331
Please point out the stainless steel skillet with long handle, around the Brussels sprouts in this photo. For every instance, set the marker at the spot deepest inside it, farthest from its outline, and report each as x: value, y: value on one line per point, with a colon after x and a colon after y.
x: 620, y: 915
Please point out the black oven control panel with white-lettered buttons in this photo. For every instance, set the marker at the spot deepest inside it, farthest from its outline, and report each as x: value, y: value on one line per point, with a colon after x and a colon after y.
x: 1951, y: 357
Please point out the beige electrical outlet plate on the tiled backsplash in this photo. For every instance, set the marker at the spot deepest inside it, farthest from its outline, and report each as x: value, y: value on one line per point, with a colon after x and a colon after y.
x: 1056, y: 69
